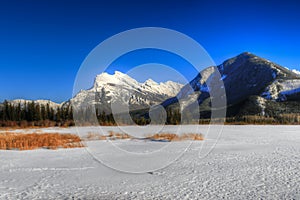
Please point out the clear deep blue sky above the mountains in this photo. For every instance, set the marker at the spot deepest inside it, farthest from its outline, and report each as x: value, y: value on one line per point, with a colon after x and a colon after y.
x: 43, y: 43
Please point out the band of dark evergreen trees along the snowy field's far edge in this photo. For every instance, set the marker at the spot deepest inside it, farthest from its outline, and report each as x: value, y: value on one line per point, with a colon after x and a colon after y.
x: 34, y: 114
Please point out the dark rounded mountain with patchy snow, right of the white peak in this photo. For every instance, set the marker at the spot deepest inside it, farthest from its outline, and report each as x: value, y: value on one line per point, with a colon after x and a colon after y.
x: 243, y: 76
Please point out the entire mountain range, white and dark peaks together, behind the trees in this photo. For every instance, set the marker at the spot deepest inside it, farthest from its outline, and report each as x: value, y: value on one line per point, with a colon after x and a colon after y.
x: 253, y: 86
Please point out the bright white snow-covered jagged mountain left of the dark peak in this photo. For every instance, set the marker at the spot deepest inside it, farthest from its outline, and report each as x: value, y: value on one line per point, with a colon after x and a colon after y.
x: 120, y: 87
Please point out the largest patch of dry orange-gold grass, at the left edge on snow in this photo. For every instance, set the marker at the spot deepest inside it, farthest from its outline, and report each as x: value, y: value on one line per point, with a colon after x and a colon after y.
x: 29, y: 141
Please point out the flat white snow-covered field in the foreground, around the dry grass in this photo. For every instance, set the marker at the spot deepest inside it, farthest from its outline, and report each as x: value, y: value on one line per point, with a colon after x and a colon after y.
x: 248, y: 162
